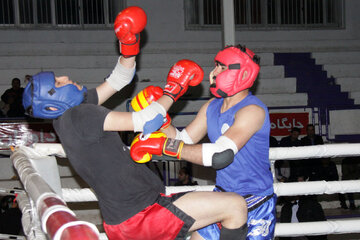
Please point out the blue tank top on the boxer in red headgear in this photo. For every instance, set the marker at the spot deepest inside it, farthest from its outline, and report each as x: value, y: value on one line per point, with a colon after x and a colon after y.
x: 250, y: 171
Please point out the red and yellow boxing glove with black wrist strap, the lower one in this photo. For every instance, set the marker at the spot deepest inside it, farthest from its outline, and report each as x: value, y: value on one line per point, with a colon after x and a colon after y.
x: 142, y: 149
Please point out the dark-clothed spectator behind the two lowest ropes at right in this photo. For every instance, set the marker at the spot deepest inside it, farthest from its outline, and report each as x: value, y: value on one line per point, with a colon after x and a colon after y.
x: 302, y: 209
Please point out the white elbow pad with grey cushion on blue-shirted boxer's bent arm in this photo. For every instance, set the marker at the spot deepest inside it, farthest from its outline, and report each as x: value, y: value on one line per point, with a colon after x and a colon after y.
x: 219, y: 154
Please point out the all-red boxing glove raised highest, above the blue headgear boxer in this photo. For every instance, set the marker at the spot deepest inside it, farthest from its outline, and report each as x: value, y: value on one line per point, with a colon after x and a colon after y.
x: 127, y: 25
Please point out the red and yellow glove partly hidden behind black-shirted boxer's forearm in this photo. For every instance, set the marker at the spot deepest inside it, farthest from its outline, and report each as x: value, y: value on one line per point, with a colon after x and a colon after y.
x: 145, y: 97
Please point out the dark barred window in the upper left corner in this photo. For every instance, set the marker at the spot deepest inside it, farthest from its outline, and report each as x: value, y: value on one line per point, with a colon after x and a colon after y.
x: 59, y: 13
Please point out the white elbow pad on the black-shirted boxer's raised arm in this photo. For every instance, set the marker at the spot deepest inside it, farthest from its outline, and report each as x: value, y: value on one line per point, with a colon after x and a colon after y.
x: 120, y: 76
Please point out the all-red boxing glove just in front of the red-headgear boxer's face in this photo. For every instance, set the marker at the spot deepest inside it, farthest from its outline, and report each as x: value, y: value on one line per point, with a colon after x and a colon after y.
x: 182, y: 74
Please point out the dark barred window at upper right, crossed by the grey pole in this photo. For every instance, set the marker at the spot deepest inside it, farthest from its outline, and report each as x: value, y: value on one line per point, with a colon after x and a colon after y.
x: 268, y: 14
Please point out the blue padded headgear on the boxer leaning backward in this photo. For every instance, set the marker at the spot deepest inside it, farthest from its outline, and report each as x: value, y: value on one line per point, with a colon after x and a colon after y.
x: 41, y: 93
